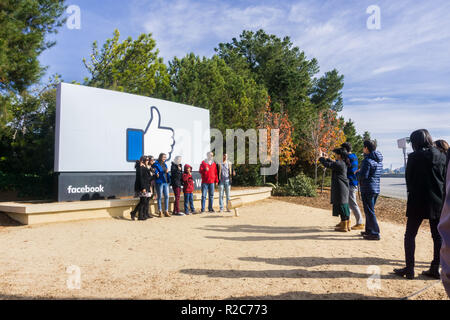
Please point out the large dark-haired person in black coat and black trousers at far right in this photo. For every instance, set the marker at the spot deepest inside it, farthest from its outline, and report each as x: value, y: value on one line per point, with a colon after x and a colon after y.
x: 425, y: 179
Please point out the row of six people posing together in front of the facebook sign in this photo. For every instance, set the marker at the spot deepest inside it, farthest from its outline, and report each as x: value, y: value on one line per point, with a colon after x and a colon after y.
x: 153, y: 178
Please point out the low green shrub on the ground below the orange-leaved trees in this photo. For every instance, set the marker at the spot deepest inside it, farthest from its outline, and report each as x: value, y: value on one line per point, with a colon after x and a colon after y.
x: 300, y: 185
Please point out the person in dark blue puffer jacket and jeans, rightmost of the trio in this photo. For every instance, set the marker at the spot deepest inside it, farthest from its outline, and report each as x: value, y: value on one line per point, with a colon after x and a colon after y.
x: 369, y: 175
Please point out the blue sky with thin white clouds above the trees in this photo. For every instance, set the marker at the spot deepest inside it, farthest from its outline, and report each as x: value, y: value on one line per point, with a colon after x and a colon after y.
x: 397, y: 78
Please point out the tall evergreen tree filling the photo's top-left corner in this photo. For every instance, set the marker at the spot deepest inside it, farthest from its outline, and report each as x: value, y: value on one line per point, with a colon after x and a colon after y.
x: 24, y: 25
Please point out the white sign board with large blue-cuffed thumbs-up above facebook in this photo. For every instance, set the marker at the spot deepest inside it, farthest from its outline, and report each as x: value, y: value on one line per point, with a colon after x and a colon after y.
x: 100, y: 130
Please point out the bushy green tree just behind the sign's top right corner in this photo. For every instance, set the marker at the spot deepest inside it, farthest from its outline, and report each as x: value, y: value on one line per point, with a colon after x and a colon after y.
x: 233, y: 99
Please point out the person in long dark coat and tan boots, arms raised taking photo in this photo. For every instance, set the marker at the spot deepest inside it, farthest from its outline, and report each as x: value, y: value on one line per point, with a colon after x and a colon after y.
x: 339, y: 187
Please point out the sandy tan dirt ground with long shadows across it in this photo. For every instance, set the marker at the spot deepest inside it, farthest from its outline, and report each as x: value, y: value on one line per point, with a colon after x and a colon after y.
x: 274, y: 250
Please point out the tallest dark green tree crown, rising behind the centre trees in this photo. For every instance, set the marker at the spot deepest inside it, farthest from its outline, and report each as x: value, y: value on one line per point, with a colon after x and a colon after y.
x: 278, y: 65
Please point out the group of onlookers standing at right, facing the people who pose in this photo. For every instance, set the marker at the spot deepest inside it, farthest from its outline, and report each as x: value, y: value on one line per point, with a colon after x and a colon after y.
x: 425, y: 176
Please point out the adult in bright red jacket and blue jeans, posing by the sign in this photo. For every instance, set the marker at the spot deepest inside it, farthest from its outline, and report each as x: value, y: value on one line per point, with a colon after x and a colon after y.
x: 208, y: 171
